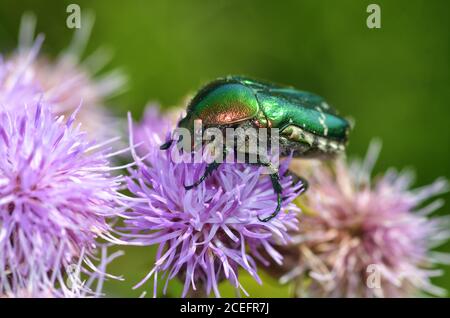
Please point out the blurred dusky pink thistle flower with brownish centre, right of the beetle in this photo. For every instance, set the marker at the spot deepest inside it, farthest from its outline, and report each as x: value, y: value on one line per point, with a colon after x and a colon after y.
x: 363, y: 238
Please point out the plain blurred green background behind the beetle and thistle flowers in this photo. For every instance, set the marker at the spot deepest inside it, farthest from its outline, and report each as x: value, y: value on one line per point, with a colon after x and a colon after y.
x: 393, y: 81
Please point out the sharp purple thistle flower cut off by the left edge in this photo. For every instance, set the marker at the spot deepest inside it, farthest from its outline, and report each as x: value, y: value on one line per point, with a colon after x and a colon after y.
x: 56, y: 195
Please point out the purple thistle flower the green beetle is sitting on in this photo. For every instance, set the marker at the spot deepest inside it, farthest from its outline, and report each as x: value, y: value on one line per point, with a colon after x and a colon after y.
x: 207, y: 234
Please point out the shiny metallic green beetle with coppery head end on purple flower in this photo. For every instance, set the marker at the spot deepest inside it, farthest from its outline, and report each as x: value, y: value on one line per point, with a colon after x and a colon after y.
x: 308, y: 126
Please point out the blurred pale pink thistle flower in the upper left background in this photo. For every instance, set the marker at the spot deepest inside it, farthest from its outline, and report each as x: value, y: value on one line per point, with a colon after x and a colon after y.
x: 63, y: 82
